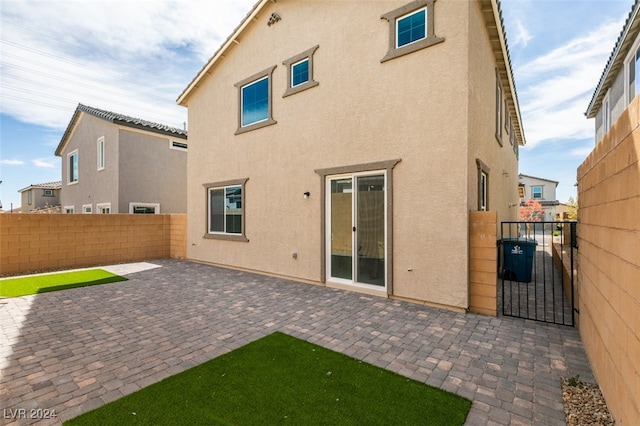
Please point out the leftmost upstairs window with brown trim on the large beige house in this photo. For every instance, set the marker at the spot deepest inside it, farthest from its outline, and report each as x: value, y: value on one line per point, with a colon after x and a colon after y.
x: 254, y: 101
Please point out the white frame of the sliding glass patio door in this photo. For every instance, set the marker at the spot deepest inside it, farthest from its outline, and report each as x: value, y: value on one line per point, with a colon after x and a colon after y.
x: 354, y: 176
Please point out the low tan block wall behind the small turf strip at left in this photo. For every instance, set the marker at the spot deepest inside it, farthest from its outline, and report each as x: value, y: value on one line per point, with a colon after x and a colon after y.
x: 34, y: 243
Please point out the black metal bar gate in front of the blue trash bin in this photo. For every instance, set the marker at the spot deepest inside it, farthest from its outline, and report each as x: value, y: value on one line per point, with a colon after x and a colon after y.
x: 536, y: 267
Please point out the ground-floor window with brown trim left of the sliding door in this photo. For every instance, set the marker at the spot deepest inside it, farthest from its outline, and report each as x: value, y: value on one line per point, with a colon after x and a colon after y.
x: 225, y: 210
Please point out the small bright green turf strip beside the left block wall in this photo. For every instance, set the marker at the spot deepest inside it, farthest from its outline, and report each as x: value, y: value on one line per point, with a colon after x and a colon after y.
x: 13, y: 287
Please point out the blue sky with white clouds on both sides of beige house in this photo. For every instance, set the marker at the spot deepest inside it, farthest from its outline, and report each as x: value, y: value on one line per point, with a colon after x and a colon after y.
x: 136, y: 56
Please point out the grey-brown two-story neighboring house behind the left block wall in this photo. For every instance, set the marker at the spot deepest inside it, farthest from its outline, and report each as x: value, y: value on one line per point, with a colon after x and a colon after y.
x: 112, y: 163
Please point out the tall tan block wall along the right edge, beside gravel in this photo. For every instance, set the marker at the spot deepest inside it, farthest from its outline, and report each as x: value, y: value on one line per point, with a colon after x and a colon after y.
x: 609, y: 264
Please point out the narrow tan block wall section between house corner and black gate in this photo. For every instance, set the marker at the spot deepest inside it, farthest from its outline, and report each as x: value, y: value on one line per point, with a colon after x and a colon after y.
x: 483, y: 262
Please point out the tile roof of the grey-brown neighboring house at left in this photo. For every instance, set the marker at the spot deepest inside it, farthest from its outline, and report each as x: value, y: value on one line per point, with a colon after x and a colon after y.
x: 120, y: 119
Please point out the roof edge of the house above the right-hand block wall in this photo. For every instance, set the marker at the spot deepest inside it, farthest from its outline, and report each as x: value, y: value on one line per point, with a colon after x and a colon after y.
x: 621, y: 48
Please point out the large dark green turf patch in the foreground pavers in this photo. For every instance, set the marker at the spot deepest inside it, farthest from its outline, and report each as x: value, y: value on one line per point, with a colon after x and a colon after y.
x: 281, y: 379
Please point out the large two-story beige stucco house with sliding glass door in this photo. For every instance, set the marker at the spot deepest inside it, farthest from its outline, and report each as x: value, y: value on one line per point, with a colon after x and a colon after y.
x: 345, y: 143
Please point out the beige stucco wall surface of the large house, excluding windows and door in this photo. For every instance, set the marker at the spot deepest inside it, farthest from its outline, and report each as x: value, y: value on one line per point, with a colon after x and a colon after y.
x: 413, y: 108
